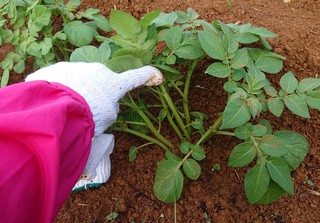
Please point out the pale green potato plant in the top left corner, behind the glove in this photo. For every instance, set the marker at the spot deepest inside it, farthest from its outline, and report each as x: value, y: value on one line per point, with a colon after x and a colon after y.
x: 27, y: 26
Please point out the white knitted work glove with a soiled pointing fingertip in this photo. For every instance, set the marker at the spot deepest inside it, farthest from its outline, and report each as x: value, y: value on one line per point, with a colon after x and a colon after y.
x: 102, y: 89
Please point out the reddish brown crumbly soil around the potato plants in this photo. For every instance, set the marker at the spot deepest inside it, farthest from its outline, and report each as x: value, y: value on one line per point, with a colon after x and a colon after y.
x: 219, y: 194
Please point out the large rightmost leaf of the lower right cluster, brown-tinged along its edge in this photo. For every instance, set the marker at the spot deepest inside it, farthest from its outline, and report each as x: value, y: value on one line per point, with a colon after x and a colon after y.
x: 296, y: 145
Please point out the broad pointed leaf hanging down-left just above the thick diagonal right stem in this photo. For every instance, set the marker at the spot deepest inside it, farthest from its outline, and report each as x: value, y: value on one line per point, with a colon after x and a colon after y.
x: 236, y: 113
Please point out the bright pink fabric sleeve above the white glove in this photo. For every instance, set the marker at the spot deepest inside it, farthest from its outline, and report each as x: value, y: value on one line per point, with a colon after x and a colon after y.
x: 45, y: 139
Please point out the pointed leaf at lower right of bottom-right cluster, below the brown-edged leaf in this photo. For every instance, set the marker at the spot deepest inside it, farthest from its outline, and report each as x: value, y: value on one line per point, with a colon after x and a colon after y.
x: 280, y: 173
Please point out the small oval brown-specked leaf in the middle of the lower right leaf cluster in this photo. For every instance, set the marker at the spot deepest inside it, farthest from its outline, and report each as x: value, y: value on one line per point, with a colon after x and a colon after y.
x: 272, y: 145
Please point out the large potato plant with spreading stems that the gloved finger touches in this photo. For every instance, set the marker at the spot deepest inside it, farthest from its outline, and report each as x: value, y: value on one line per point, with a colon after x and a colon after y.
x: 177, y: 38
